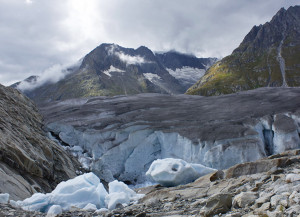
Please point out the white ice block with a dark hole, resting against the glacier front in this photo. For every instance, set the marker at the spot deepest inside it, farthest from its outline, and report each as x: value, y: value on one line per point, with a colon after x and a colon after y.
x: 172, y: 172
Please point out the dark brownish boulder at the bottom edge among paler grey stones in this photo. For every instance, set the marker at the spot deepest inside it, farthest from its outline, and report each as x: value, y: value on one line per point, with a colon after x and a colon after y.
x: 220, y: 203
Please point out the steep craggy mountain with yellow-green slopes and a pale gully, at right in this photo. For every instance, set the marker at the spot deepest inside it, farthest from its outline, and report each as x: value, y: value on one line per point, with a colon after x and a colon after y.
x: 269, y: 56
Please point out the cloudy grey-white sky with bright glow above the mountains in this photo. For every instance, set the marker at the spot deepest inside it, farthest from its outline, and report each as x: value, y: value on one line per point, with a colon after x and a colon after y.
x: 38, y: 35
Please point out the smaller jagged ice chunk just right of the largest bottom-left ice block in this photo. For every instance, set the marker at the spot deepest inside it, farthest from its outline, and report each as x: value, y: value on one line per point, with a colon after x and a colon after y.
x: 120, y: 193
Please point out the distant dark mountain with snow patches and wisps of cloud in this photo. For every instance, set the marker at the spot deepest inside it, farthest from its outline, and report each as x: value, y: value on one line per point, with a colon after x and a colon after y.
x: 111, y: 70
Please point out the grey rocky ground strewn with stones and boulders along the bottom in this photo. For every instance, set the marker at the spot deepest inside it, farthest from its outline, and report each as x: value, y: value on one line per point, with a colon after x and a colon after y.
x: 268, y: 187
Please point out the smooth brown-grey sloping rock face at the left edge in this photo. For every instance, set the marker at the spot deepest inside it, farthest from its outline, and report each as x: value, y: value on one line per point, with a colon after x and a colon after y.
x: 29, y: 161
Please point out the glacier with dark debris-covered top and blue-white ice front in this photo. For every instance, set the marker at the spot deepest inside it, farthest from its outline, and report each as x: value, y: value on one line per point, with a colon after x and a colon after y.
x: 218, y: 132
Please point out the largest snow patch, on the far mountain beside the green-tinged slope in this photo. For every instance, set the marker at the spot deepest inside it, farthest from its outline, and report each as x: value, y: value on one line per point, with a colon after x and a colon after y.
x: 187, y: 73
